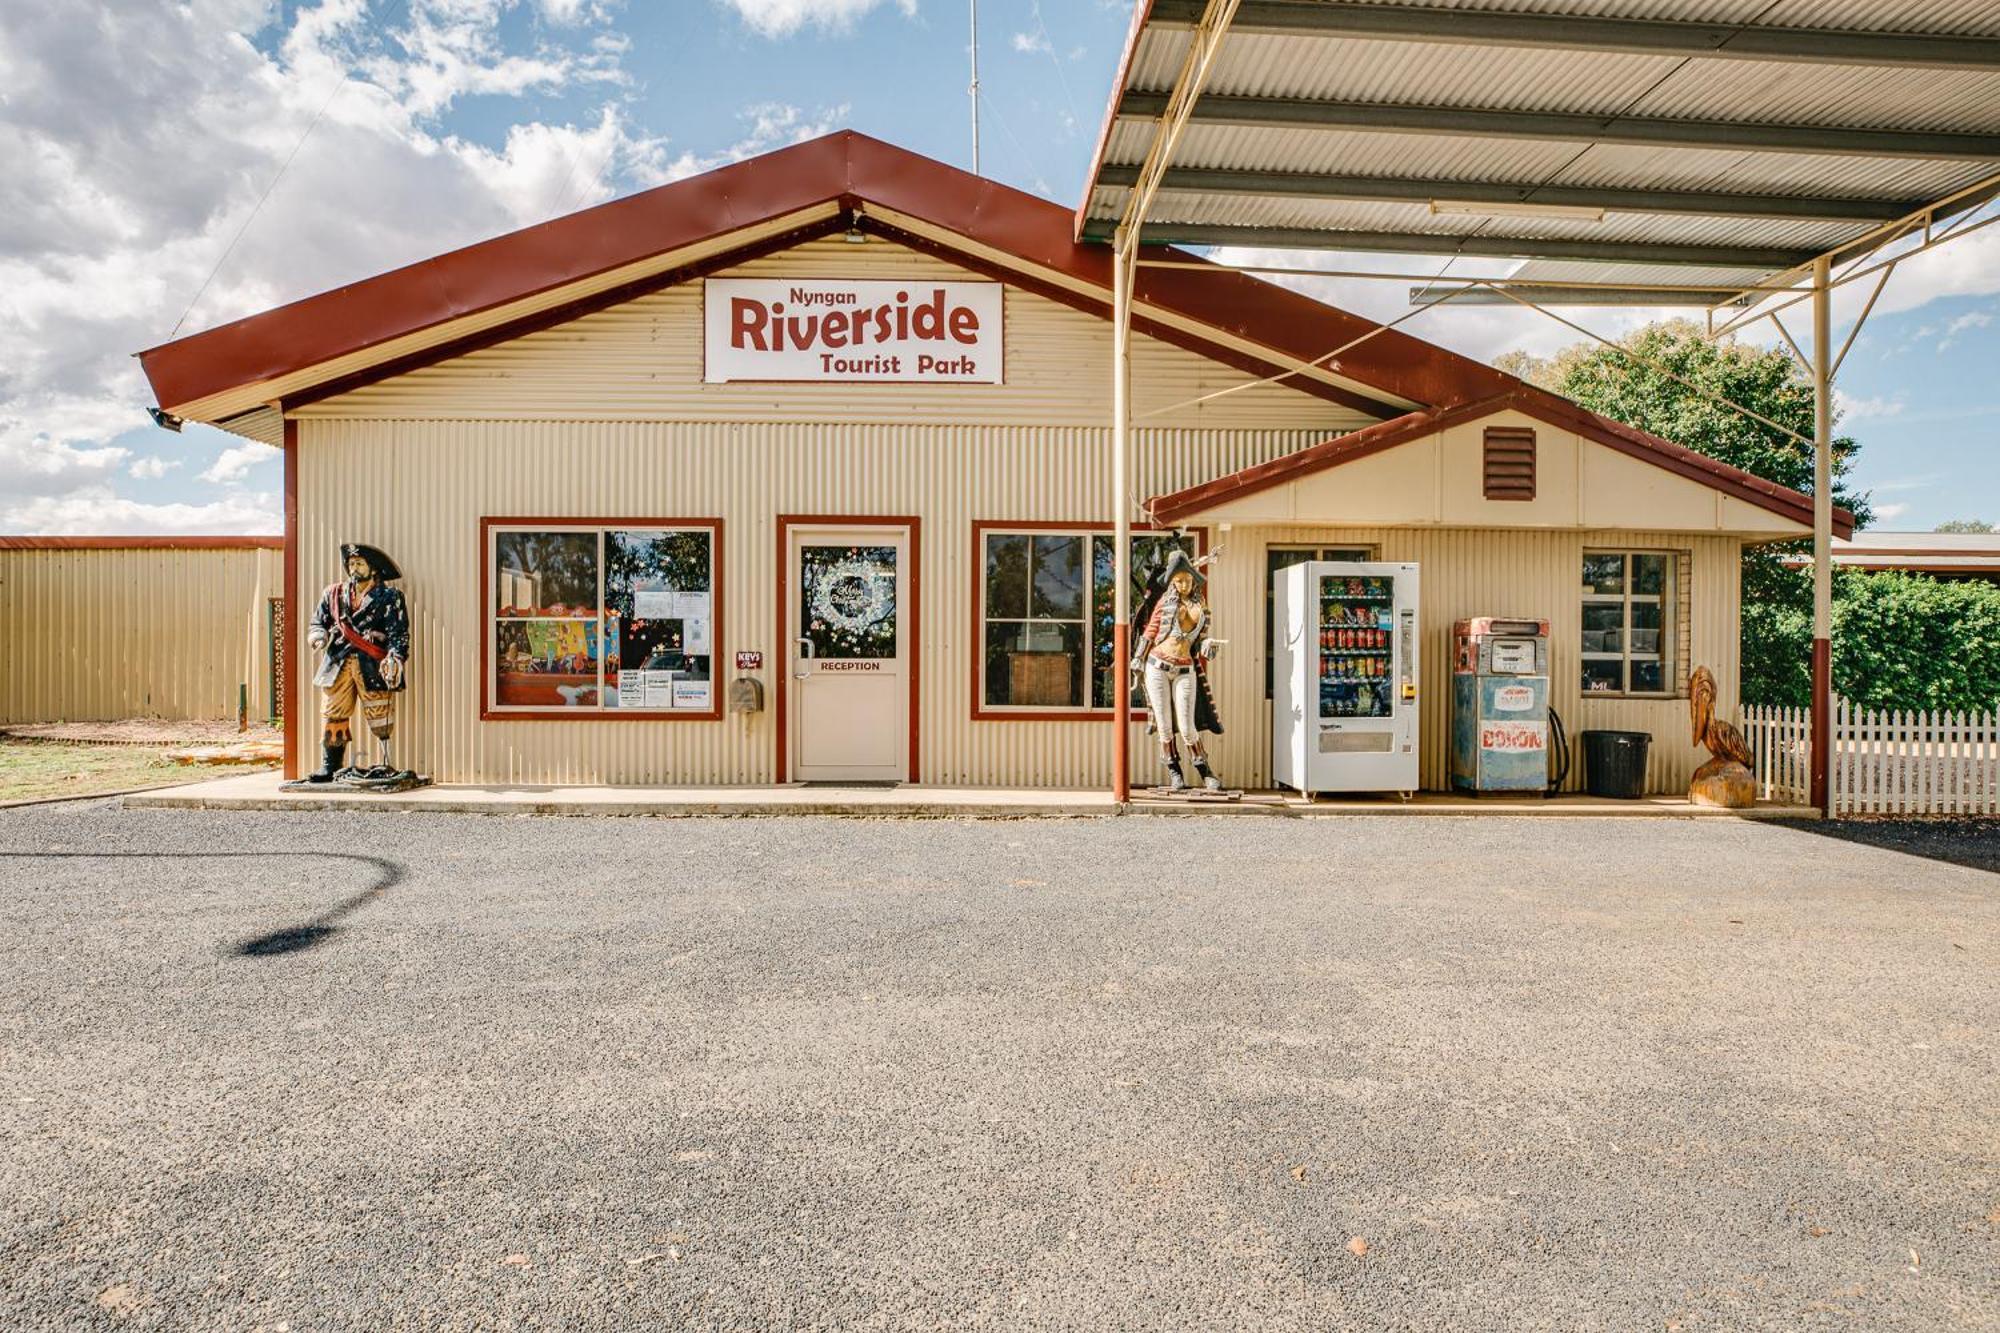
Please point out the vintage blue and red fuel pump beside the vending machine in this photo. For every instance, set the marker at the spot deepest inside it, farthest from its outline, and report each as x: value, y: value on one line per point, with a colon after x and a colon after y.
x: 1501, y: 716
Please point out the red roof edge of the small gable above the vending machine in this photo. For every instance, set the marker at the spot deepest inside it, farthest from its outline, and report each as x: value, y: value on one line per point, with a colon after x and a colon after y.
x: 1529, y: 401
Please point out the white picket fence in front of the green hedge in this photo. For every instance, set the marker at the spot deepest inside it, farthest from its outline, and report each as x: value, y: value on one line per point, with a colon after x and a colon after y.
x: 1885, y: 762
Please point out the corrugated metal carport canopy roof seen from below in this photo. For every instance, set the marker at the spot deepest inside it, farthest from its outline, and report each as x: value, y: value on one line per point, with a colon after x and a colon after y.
x: 1721, y: 143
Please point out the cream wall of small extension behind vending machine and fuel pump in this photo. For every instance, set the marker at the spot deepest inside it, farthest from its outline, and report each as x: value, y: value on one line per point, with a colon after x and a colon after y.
x: 1477, y: 573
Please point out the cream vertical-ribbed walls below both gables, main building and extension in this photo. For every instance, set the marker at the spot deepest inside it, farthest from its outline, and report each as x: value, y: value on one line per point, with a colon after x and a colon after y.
x: 401, y: 485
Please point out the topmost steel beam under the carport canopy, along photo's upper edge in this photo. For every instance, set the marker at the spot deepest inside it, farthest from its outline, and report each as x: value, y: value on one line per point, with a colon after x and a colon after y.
x: 1587, y: 33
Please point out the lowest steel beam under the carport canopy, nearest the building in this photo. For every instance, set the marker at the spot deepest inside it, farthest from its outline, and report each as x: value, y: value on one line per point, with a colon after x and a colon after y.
x: 1447, y: 243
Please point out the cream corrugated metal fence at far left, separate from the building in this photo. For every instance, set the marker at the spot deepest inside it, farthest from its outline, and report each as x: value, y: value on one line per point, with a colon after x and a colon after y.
x: 113, y: 633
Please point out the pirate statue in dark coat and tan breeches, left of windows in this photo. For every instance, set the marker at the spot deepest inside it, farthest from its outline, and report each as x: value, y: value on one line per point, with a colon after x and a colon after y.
x: 363, y: 631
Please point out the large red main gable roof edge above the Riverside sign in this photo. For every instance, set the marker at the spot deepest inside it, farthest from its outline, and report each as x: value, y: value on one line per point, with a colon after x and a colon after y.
x: 849, y: 171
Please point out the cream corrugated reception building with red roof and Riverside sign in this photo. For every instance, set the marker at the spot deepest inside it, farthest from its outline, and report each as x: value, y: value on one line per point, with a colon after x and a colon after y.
x: 603, y: 491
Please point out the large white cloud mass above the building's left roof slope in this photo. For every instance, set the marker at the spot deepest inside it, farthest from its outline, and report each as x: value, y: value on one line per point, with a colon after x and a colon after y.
x: 141, y: 141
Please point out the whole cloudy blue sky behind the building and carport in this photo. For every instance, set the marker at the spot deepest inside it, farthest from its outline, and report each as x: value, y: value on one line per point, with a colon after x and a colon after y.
x: 151, y: 135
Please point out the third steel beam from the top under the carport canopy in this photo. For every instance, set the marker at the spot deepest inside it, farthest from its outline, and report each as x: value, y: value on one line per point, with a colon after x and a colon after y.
x: 1409, y: 191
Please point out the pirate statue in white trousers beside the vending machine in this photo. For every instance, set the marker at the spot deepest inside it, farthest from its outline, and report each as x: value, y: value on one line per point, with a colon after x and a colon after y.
x: 1173, y: 661
